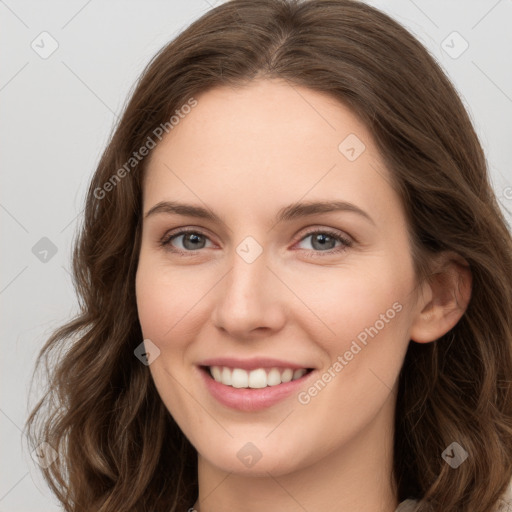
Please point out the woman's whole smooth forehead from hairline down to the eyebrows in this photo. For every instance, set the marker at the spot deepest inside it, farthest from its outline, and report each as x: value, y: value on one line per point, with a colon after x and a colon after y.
x: 263, y: 140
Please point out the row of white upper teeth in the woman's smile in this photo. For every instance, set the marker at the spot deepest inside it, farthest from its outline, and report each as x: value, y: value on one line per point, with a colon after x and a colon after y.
x: 258, y: 378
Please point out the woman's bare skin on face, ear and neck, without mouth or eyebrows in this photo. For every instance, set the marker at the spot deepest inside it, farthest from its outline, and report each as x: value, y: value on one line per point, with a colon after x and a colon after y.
x: 245, y: 153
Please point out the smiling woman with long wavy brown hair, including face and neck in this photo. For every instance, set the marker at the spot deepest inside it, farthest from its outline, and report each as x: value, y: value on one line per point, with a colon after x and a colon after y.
x: 295, y: 279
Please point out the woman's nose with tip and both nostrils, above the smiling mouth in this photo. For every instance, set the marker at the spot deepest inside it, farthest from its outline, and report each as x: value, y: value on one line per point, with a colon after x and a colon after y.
x: 249, y: 299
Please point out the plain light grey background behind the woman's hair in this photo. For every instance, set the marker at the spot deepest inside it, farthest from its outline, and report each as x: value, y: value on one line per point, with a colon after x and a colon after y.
x: 56, y: 115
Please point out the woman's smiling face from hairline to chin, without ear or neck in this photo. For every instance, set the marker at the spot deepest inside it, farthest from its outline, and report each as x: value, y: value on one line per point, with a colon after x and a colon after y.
x: 266, y: 285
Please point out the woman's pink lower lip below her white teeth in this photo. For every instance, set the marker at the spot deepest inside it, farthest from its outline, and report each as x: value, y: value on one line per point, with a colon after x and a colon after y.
x: 248, y: 399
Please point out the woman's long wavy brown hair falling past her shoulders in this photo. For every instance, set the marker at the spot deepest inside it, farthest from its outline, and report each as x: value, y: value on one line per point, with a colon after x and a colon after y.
x: 119, y: 448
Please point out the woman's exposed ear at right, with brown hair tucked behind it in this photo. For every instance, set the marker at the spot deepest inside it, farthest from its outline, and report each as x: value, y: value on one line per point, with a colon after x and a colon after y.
x: 444, y: 298
